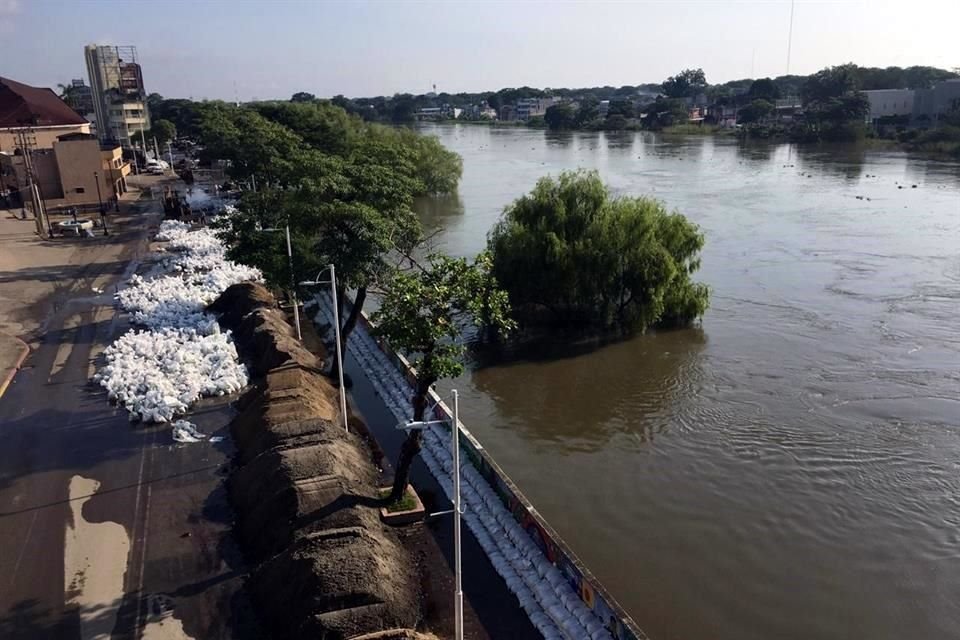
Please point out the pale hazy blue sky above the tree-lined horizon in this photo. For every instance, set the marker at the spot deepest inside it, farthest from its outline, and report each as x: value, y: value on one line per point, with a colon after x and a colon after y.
x: 218, y: 49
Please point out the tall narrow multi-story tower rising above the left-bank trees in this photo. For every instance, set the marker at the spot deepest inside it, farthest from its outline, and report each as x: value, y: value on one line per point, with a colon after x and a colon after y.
x: 119, y: 97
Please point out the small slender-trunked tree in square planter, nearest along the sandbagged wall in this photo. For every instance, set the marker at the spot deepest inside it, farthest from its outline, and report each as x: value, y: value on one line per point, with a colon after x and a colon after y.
x: 424, y: 314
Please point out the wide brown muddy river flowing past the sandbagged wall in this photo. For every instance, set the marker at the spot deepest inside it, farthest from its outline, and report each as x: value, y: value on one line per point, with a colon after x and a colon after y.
x: 791, y: 469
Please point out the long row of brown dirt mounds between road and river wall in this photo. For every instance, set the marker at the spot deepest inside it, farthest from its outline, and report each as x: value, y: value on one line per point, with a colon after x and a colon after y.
x: 305, y: 493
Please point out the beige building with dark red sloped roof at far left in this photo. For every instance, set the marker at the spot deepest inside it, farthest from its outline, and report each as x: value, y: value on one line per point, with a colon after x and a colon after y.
x: 45, y: 142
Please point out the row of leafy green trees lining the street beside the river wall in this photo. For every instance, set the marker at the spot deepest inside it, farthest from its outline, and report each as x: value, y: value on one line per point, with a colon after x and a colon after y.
x: 344, y: 188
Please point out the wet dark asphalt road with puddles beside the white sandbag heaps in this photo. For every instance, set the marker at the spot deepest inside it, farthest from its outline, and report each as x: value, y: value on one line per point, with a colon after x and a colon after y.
x: 107, y: 529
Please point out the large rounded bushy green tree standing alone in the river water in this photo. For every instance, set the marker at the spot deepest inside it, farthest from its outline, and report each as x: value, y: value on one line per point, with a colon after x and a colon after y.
x: 594, y: 261
